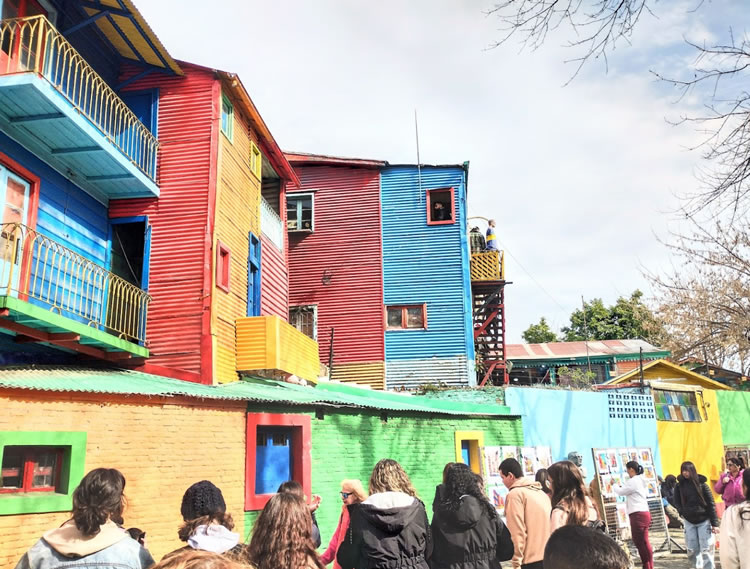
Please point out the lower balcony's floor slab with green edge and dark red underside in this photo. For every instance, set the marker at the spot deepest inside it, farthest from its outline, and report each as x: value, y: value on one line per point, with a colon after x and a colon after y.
x: 45, y: 327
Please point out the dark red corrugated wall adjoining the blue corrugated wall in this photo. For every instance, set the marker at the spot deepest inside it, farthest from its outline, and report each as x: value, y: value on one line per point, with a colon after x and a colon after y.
x: 346, y: 243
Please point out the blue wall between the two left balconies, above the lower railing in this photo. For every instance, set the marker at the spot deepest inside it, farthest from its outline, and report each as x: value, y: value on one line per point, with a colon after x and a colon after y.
x: 66, y: 213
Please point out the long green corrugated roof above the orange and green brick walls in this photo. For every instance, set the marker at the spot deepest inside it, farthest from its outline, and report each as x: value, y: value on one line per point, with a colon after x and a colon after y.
x: 128, y: 382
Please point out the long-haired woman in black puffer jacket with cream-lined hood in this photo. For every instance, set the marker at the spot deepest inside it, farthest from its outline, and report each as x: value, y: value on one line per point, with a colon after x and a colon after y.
x: 390, y: 529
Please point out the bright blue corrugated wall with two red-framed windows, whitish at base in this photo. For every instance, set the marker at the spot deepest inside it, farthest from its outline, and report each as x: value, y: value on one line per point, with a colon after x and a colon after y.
x: 430, y: 265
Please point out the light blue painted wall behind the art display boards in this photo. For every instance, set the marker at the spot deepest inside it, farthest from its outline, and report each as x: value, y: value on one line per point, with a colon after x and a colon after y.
x: 578, y: 420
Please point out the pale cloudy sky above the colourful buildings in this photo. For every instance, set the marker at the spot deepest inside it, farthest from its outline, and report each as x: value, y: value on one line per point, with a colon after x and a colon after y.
x: 582, y: 178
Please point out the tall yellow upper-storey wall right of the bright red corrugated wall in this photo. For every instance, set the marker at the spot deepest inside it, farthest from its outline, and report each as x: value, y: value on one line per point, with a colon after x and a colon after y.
x: 237, y: 213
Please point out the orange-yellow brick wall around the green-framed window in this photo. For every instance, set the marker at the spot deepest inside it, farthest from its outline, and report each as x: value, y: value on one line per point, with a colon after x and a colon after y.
x: 161, y: 447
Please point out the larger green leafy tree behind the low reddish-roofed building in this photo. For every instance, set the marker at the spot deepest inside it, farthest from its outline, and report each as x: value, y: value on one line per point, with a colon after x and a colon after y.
x: 627, y: 319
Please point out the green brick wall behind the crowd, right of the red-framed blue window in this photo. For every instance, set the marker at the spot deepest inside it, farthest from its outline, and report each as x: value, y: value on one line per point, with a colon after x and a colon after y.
x: 348, y: 444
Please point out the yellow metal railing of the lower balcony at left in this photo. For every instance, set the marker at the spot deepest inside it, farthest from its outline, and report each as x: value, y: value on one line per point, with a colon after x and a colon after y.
x: 39, y: 270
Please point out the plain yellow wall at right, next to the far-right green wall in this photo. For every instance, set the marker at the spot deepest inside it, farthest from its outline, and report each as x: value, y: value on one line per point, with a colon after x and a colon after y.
x: 700, y: 443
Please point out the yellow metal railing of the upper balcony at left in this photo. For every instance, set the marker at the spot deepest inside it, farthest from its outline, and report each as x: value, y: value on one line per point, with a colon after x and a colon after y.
x: 34, y: 45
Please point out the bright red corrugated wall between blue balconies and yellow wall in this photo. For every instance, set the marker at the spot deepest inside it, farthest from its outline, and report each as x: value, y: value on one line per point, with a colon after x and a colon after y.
x: 181, y: 219
